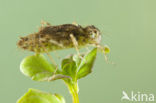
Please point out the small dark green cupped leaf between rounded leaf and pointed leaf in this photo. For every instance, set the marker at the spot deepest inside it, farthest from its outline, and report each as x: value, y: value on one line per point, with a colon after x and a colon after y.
x: 69, y: 68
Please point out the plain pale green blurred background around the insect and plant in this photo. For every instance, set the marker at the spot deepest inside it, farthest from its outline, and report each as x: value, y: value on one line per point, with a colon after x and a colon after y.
x: 128, y: 27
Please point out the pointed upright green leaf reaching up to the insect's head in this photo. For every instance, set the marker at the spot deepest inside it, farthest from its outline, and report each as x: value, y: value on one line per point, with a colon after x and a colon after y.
x: 86, y: 64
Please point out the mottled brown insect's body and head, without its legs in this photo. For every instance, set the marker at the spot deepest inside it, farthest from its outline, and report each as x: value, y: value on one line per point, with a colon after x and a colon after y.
x: 58, y: 37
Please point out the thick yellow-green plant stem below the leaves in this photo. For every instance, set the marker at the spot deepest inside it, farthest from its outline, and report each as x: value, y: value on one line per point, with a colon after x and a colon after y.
x: 73, y: 89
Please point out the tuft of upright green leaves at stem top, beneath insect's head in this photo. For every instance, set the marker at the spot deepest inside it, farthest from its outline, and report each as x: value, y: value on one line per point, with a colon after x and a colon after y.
x: 76, y: 68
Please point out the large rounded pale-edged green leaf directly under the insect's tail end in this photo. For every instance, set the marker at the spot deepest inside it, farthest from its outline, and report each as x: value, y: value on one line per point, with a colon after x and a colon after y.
x: 39, y: 69
